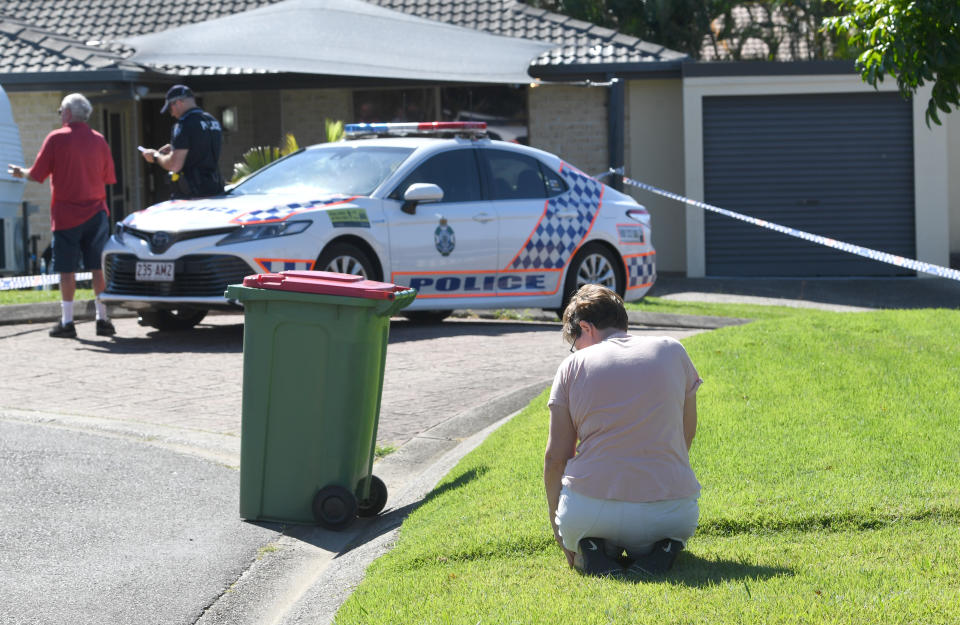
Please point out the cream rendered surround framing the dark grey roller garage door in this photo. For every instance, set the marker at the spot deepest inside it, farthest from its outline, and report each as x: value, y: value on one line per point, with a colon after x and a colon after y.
x: 931, y: 183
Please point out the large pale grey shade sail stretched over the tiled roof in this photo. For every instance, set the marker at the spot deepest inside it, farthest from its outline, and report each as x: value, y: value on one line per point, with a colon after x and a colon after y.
x: 431, y: 50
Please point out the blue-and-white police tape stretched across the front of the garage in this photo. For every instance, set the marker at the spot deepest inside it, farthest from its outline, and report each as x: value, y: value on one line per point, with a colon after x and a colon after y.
x: 866, y: 252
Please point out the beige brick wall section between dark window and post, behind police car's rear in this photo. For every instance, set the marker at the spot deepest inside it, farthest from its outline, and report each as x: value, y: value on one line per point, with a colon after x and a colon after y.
x: 571, y: 122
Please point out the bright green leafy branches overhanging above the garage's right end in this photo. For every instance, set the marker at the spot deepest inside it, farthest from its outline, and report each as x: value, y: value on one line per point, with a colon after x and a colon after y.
x: 918, y: 41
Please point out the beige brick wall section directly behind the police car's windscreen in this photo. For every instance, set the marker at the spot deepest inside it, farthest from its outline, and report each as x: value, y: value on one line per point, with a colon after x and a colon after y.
x: 303, y: 112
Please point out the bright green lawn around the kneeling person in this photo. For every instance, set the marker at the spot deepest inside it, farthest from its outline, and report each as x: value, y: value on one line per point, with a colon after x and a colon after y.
x: 829, y: 453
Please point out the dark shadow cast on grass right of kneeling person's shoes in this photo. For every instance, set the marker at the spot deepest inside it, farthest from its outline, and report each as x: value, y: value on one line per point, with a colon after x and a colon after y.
x: 696, y: 572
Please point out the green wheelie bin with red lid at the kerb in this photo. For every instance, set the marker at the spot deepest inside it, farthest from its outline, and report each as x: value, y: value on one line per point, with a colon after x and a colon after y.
x: 314, y: 348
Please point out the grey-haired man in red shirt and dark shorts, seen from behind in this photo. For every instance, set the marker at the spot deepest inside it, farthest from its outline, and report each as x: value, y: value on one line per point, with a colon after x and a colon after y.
x: 79, y: 161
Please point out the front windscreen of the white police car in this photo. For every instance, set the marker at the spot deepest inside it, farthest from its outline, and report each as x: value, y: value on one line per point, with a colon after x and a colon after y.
x: 346, y: 169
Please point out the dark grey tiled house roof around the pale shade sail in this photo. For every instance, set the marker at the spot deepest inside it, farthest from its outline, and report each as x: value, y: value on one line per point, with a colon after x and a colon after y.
x: 88, y: 30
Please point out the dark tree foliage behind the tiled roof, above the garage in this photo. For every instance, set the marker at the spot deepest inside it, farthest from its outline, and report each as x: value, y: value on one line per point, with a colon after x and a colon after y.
x: 717, y: 29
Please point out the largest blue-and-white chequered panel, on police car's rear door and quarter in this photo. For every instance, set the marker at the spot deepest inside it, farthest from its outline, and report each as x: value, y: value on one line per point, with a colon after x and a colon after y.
x: 556, y: 238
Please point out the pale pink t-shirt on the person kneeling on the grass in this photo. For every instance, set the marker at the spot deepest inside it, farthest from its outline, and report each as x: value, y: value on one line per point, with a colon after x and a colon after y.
x: 625, y: 398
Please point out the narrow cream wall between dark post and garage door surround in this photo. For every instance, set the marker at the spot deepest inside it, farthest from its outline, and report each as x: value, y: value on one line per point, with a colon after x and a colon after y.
x: 654, y: 154
